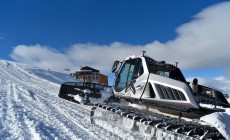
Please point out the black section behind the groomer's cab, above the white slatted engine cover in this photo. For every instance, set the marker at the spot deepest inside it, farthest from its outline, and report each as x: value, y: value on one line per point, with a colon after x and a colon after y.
x: 165, y: 70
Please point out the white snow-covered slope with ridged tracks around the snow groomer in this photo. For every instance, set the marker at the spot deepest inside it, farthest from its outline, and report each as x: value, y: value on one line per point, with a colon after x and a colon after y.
x: 31, y: 109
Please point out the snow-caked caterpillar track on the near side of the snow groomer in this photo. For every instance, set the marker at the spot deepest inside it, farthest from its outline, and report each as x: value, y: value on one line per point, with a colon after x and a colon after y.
x: 149, y: 125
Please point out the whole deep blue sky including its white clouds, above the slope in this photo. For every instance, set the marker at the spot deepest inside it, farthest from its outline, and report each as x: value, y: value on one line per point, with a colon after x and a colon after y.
x: 50, y: 33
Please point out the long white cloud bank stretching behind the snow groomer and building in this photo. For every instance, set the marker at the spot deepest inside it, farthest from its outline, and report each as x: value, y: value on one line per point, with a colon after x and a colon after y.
x: 202, y: 42
